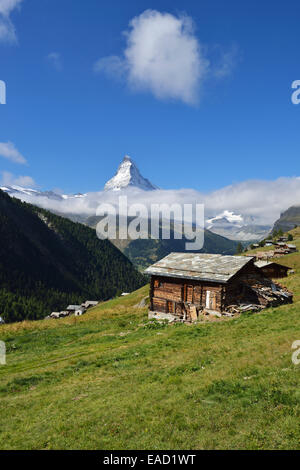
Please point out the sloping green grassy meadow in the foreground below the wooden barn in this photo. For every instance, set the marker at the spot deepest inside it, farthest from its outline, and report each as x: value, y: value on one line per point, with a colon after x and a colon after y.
x: 113, y: 380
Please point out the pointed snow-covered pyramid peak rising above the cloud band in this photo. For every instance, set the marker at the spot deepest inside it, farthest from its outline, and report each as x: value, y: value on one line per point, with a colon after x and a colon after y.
x: 128, y: 175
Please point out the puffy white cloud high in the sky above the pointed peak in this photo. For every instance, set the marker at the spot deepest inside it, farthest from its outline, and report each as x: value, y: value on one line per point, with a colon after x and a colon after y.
x: 162, y: 56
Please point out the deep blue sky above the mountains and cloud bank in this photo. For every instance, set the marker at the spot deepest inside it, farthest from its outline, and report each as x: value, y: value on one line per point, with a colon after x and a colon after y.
x: 73, y: 121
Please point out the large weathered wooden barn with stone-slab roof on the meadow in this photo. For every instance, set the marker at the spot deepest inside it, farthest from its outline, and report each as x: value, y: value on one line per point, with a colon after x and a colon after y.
x: 185, y: 285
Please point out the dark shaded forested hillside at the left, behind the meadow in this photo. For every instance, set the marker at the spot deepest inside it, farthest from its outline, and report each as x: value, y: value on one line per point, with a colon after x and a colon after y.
x: 47, y: 261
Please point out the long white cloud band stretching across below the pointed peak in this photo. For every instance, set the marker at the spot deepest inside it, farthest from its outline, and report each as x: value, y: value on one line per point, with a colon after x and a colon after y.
x: 263, y: 200
